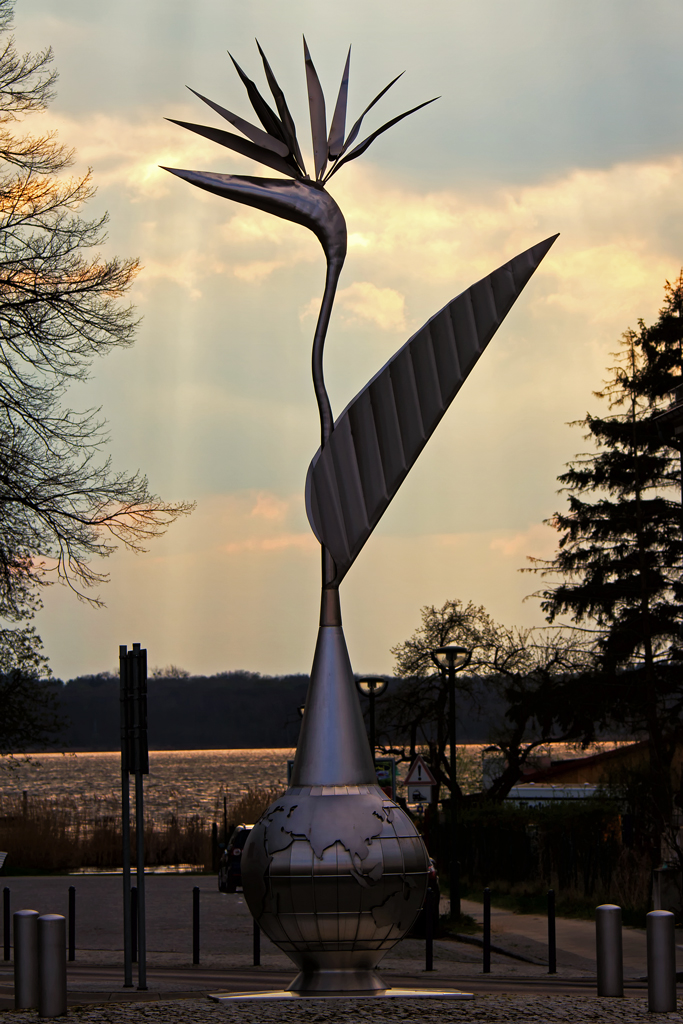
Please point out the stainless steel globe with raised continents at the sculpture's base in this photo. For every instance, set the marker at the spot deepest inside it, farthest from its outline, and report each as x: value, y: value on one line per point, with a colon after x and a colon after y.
x: 335, y: 876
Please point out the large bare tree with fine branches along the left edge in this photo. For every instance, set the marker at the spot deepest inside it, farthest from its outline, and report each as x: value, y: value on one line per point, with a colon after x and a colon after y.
x: 61, y: 501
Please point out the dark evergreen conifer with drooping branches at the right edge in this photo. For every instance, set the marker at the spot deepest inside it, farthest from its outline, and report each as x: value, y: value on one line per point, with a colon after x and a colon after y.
x: 621, y: 552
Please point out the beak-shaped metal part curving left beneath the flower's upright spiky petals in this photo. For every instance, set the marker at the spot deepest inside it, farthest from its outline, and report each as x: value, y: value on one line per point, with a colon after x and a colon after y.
x: 303, y: 202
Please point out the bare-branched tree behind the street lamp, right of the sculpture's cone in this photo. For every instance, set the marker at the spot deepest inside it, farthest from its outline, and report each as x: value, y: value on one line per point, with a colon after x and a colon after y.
x: 519, y: 676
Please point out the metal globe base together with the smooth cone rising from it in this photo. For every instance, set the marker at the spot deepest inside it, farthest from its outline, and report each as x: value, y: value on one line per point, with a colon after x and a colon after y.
x: 335, y: 873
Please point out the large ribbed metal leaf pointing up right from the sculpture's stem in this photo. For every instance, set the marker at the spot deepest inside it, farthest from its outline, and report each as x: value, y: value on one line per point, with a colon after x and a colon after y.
x: 380, y: 435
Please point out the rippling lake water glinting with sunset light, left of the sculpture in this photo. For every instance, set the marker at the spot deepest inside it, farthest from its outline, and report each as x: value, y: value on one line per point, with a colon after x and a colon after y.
x: 180, y: 782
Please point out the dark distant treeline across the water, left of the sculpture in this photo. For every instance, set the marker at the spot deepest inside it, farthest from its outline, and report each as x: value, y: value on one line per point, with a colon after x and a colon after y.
x: 230, y: 710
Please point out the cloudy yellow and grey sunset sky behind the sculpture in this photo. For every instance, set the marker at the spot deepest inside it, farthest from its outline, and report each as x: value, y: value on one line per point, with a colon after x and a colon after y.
x: 552, y: 117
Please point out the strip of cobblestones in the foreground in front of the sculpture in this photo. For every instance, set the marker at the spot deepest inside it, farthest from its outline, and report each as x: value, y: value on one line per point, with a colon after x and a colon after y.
x: 489, y: 1009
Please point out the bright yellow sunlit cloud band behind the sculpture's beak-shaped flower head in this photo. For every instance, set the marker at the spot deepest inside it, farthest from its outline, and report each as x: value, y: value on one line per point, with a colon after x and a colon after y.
x: 618, y: 225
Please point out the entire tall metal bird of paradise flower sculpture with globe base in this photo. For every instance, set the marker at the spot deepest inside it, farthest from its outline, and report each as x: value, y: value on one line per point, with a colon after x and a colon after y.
x: 335, y: 872
